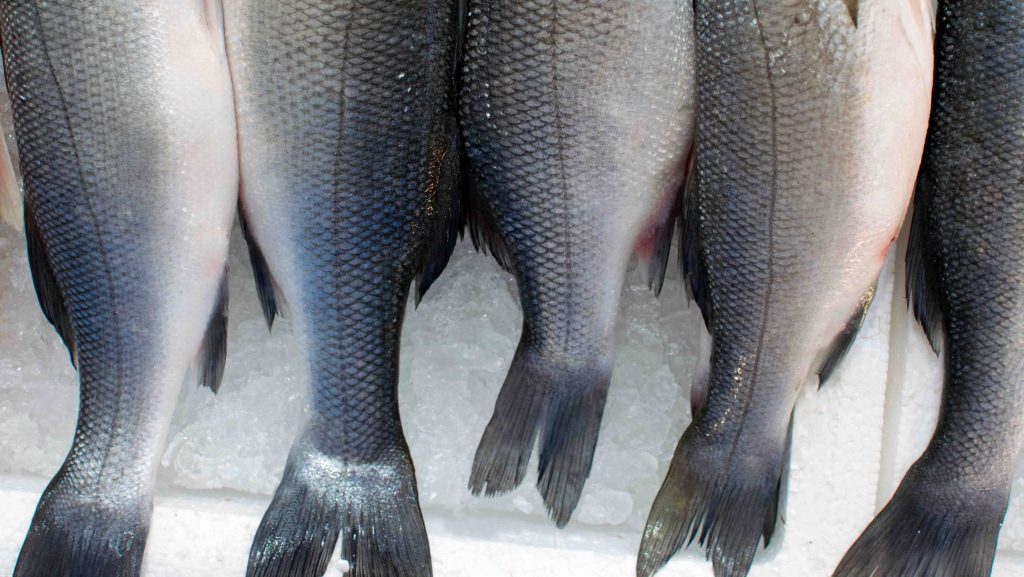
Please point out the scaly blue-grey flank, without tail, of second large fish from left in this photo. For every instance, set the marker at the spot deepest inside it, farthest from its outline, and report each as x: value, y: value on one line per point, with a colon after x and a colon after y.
x: 348, y: 89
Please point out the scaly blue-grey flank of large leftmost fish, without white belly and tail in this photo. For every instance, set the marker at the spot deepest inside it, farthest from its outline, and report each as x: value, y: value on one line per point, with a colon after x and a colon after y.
x: 91, y: 192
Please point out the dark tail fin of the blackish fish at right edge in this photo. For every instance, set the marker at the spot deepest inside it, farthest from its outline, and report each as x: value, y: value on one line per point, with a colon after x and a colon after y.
x: 921, y: 535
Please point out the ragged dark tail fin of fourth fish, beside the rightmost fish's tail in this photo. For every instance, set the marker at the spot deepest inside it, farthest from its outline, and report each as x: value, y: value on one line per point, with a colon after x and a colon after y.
x: 726, y: 511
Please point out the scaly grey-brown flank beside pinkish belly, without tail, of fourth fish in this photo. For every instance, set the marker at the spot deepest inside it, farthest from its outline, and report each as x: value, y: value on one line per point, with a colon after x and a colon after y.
x: 769, y: 140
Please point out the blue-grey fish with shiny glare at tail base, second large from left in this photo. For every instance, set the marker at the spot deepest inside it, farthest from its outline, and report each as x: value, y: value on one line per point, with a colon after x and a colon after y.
x: 349, y: 147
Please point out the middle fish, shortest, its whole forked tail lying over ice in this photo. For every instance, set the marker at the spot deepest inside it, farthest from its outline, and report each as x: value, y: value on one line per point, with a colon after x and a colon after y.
x: 578, y: 118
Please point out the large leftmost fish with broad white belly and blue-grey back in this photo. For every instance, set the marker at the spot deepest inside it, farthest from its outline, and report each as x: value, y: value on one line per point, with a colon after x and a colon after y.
x: 125, y: 131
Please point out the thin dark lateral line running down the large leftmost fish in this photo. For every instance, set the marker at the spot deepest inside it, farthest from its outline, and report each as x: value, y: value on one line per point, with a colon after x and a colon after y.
x: 101, y: 249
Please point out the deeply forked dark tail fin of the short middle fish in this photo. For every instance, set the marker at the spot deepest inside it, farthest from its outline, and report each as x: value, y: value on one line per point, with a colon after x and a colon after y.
x: 566, y: 406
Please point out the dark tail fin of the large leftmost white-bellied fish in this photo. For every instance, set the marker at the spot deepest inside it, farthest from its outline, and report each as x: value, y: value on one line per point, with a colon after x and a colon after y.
x: 75, y: 535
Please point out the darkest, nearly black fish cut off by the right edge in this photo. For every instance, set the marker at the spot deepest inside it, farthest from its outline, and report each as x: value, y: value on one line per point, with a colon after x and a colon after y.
x: 965, y: 280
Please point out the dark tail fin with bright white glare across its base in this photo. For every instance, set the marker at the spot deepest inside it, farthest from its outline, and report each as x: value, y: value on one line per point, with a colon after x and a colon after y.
x: 372, y: 508
